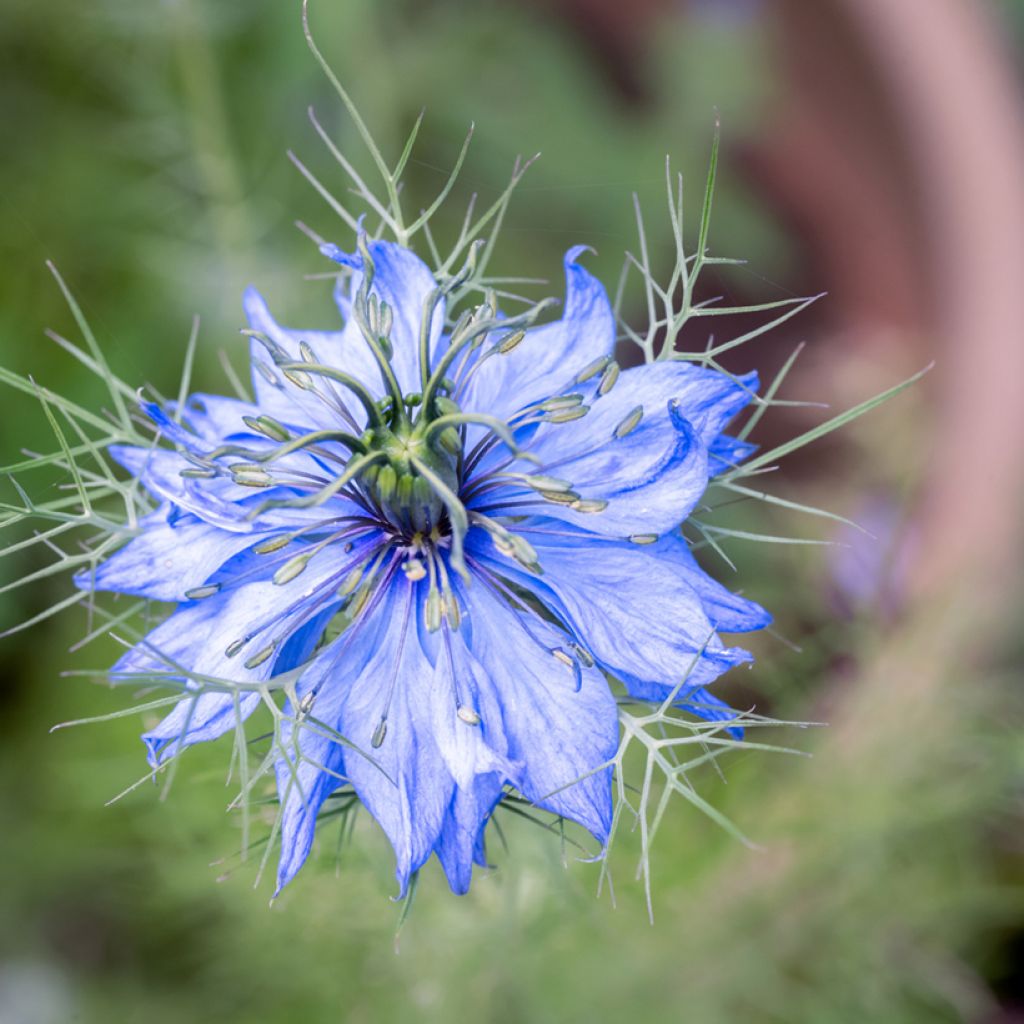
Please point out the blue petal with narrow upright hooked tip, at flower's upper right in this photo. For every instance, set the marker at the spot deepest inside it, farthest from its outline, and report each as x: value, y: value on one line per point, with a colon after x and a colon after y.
x: 546, y: 362
